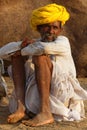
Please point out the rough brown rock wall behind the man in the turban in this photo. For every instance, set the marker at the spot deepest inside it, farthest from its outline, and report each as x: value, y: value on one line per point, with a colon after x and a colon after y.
x: 14, y: 25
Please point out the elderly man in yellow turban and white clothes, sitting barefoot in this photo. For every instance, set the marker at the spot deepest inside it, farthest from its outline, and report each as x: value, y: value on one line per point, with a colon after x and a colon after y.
x: 46, y: 85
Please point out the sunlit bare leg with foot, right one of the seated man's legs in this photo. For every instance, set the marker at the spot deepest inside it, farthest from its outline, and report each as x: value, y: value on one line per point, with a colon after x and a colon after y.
x: 43, y: 69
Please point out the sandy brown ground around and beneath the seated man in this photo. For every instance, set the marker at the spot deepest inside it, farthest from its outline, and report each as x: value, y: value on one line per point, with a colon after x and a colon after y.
x: 4, y: 112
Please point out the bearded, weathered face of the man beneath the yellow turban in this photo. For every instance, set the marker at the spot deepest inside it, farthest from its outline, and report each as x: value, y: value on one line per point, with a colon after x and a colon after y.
x: 49, y: 32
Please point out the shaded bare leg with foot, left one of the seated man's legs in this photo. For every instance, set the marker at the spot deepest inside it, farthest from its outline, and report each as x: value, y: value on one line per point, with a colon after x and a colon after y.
x: 19, y: 82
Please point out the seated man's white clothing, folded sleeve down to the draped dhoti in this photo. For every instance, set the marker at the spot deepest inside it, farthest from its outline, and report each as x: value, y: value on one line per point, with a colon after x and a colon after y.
x: 66, y: 95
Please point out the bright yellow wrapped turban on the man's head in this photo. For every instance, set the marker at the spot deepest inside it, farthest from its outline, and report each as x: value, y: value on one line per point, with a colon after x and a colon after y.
x: 48, y: 14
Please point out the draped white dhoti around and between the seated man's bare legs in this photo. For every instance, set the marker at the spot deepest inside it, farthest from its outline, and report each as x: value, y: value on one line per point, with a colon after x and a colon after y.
x: 66, y: 95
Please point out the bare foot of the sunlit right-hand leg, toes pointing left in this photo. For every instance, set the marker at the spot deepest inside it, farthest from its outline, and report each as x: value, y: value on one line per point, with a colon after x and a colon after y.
x: 40, y: 119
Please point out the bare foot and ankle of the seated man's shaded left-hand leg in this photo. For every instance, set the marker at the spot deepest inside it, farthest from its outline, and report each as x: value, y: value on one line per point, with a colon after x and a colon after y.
x: 18, y: 115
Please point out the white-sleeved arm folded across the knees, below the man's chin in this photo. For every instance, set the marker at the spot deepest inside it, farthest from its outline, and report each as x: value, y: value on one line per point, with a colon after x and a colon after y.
x: 58, y: 47
